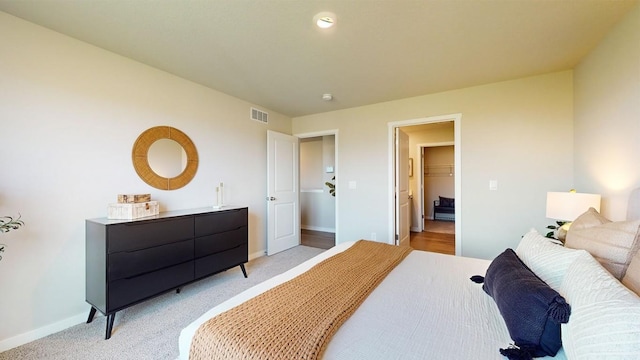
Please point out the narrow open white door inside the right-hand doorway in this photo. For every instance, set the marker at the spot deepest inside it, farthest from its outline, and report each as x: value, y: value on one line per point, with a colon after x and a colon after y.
x: 403, y: 221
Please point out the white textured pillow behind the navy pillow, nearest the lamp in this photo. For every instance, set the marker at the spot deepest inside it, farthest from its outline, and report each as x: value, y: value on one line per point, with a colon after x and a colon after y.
x: 547, y: 260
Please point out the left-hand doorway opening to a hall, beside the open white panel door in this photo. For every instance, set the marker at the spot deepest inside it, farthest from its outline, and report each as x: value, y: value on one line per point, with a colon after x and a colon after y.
x: 318, y: 204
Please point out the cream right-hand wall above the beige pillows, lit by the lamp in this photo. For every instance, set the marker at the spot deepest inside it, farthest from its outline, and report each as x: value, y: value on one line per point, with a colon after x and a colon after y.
x: 607, y: 118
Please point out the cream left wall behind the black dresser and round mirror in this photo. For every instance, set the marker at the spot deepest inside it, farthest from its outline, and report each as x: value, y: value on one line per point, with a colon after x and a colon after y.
x: 70, y: 113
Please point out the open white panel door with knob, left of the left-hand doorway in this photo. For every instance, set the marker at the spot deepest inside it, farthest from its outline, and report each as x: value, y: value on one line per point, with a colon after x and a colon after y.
x: 283, y: 210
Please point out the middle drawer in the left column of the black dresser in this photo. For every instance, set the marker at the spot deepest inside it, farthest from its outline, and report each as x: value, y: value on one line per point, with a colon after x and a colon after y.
x: 126, y: 264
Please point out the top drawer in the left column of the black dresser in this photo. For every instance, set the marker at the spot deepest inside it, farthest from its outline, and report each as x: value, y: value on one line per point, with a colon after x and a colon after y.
x: 144, y: 234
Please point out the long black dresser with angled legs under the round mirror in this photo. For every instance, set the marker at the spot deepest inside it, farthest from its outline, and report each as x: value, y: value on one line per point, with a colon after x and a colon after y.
x: 130, y: 261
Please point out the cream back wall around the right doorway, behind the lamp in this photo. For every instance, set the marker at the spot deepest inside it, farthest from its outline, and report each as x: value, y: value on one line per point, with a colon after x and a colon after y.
x: 514, y: 132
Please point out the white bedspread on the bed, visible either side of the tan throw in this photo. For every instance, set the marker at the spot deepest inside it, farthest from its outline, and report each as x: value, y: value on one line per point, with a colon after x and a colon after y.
x: 426, y: 308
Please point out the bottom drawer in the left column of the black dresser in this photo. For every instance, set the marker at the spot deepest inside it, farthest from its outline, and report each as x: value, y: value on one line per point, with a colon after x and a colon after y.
x: 125, y: 292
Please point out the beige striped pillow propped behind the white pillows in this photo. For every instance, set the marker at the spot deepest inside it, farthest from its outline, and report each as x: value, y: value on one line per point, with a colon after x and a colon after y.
x: 613, y: 244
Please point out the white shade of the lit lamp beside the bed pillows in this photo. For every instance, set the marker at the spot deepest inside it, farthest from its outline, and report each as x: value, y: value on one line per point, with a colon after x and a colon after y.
x: 568, y: 206
